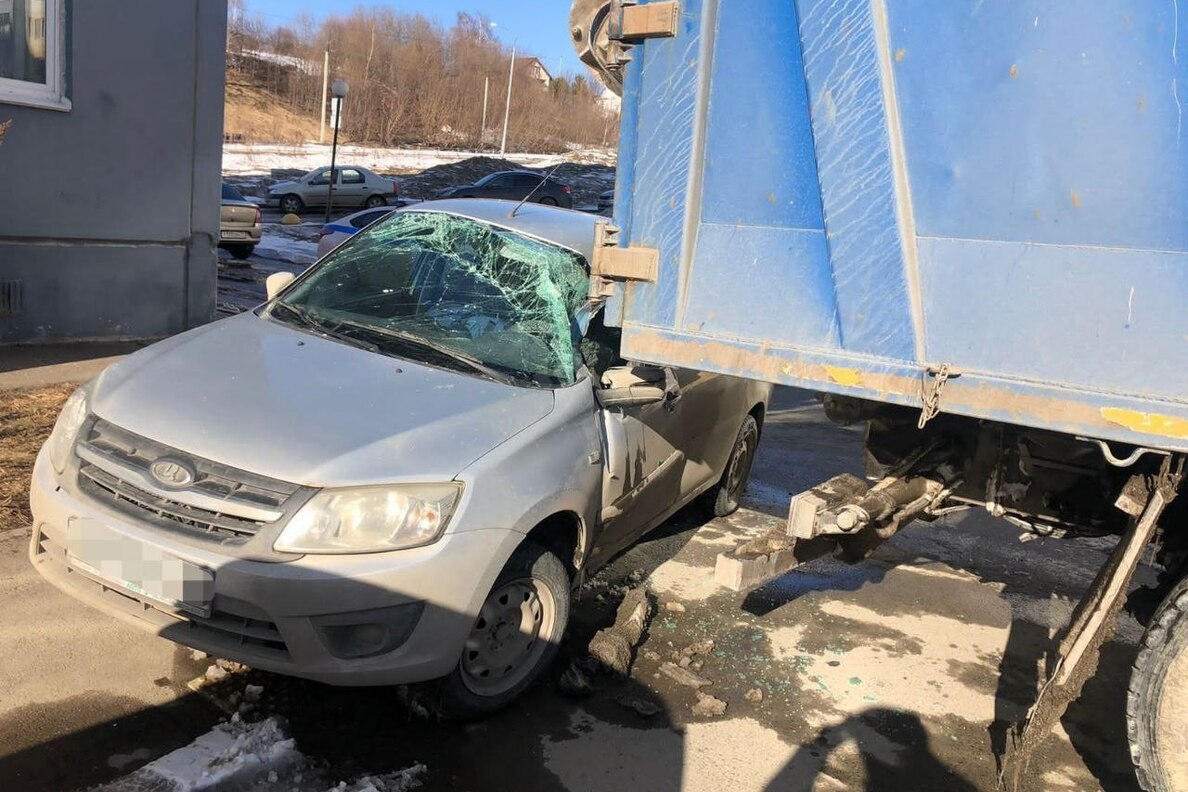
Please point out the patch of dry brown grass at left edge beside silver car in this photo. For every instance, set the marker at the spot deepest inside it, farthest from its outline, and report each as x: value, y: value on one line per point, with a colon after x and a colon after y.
x: 27, y: 419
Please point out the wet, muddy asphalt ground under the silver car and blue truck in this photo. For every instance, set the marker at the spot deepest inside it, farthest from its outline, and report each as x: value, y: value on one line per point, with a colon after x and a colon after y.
x: 882, y: 676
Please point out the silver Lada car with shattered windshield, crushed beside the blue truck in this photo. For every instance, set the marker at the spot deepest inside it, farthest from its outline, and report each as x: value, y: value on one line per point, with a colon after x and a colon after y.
x: 434, y: 441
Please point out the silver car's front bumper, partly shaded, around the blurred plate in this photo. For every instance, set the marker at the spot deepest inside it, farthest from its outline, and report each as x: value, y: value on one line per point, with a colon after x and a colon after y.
x: 347, y: 620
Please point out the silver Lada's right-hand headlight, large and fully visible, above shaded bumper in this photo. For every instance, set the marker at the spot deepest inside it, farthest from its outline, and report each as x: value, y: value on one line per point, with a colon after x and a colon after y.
x: 371, y: 519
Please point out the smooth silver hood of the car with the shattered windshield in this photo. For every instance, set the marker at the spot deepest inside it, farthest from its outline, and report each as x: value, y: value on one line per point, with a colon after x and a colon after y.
x: 263, y: 397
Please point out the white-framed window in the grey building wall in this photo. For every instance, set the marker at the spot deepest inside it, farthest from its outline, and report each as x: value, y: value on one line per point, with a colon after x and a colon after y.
x: 31, y: 54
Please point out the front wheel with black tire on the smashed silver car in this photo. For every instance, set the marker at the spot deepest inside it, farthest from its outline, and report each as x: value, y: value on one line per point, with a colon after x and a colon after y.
x: 500, y: 662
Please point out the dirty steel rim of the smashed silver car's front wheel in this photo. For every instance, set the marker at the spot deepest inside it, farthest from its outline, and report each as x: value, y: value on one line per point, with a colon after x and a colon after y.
x: 509, y: 638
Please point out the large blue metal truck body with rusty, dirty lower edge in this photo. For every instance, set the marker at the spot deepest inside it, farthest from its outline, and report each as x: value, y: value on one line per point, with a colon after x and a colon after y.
x: 846, y: 195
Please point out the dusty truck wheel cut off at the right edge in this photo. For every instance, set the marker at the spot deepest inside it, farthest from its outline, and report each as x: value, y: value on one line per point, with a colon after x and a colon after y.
x: 1158, y: 705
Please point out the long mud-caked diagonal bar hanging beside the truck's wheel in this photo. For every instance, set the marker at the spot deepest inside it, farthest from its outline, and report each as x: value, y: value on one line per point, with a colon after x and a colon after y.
x: 1092, y: 625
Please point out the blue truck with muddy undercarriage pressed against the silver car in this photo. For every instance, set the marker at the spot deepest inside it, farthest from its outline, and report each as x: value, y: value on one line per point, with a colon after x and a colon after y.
x: 964, y: 223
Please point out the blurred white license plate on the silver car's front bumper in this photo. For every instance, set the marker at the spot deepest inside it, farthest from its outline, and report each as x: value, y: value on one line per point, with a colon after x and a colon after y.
x: 142, y: 569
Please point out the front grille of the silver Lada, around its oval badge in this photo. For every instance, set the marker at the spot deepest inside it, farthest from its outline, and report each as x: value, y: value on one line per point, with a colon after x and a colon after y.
x: 222, y: 503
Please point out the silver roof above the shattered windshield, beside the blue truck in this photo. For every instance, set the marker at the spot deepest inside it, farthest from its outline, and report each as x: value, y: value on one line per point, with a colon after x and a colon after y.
x: 565, y: 227
